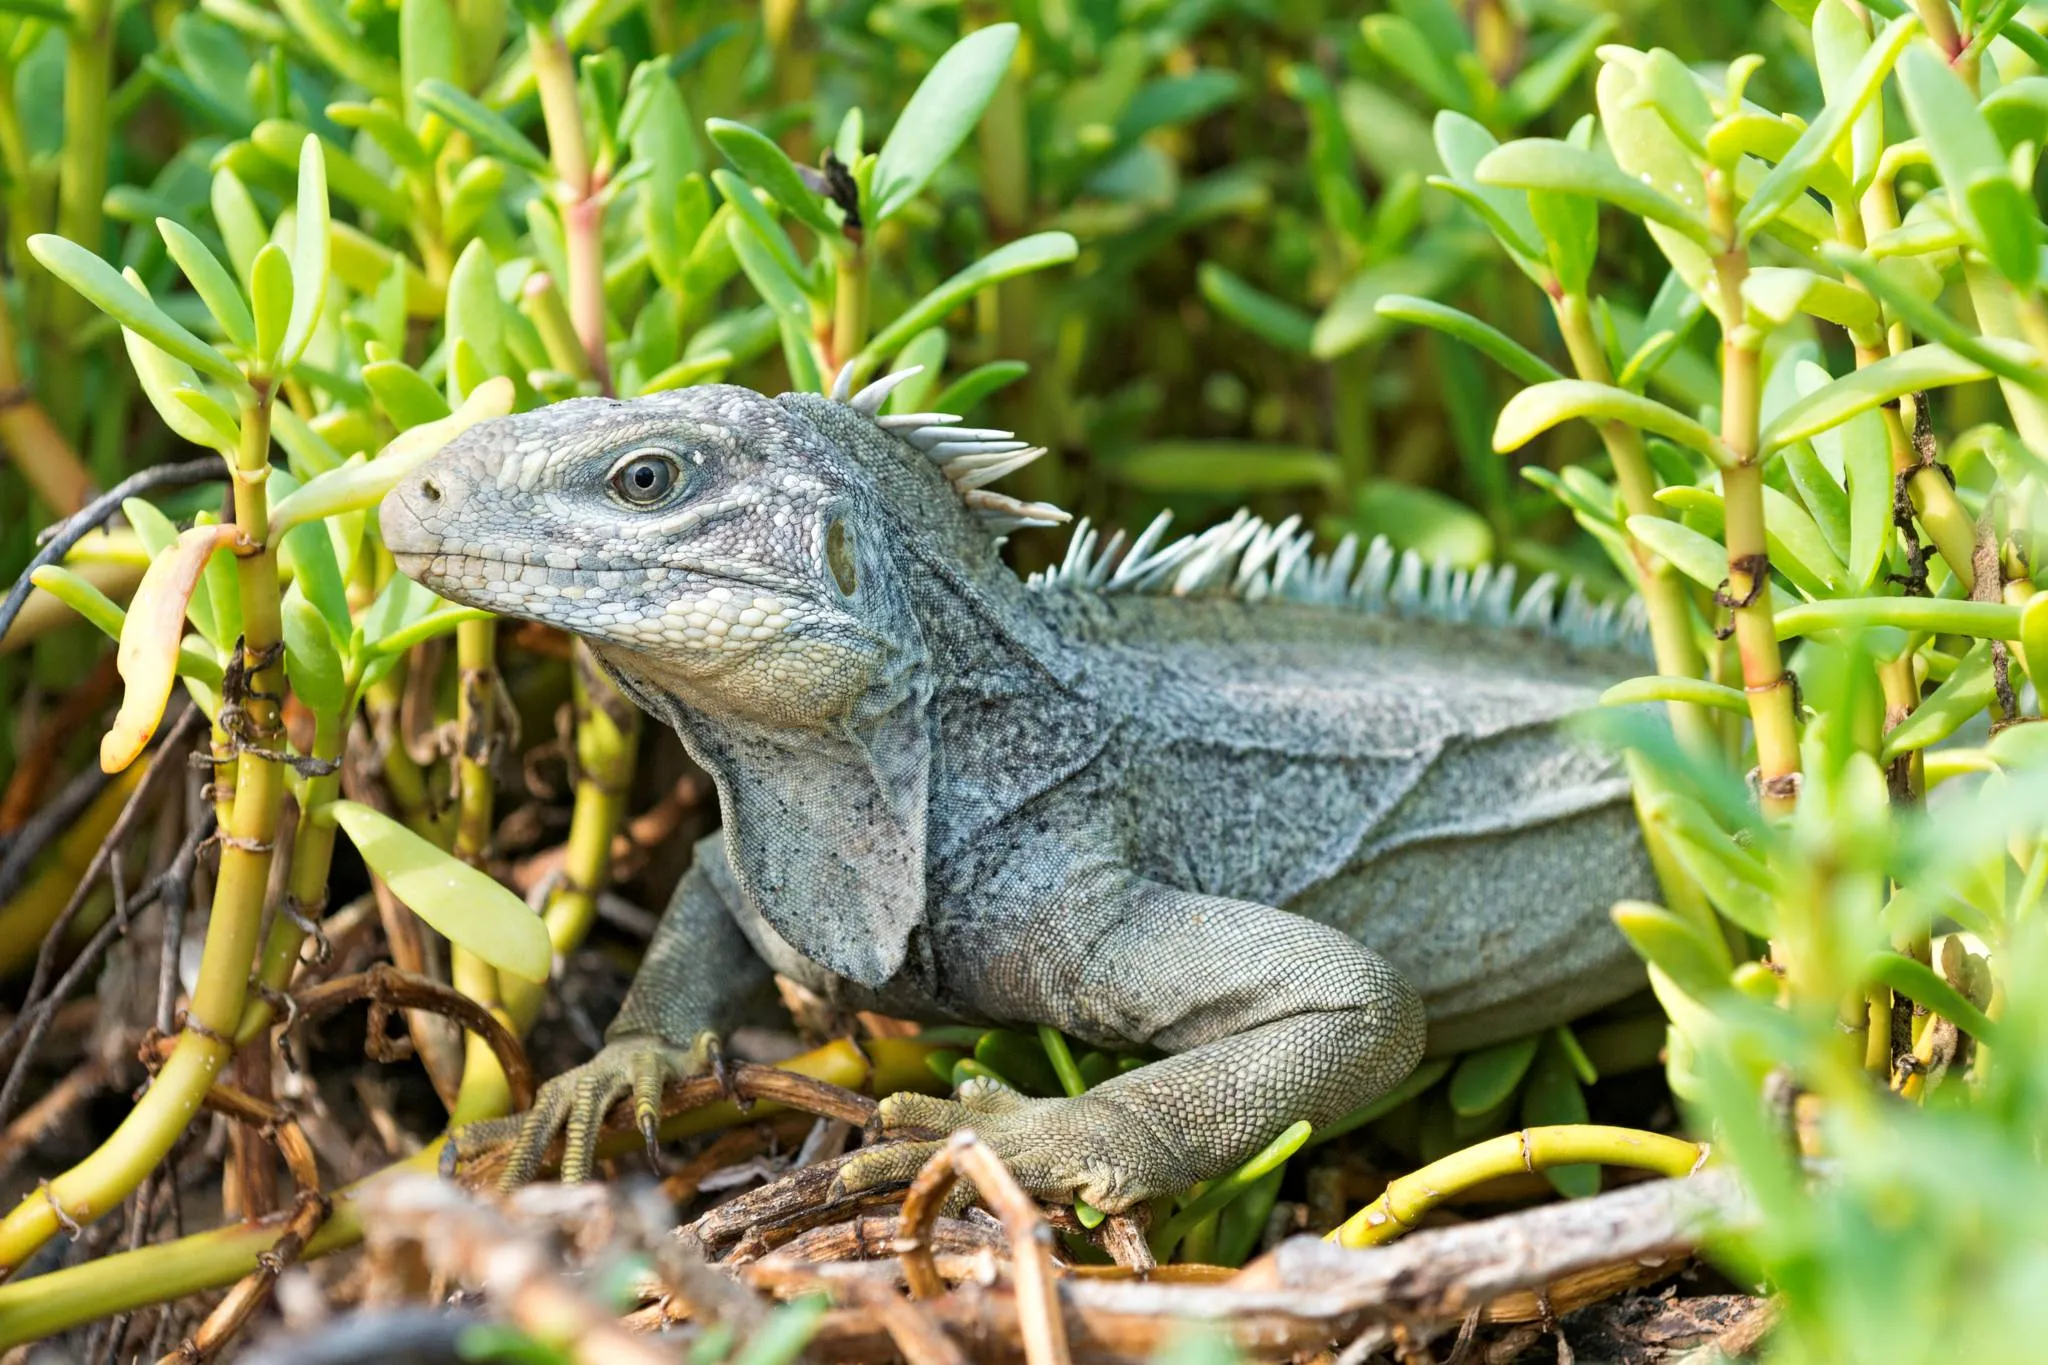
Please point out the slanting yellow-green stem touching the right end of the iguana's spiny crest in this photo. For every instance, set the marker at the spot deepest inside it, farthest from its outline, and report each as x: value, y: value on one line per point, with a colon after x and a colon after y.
x: 1664, y: 590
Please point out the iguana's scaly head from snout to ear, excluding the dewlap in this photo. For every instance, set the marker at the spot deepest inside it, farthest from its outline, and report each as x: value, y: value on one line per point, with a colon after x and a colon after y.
x: 714, y: 543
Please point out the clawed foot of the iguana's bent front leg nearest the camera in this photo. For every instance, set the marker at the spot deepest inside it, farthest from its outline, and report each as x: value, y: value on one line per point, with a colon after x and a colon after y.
x: 1091, y: 1145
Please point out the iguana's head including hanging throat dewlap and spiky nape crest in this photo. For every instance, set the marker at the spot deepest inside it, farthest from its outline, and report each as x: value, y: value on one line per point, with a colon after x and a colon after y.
x: 753, y: 570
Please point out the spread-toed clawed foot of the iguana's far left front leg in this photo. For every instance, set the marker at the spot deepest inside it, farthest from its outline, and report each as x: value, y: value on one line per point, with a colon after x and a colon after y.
x: 574, y: 1104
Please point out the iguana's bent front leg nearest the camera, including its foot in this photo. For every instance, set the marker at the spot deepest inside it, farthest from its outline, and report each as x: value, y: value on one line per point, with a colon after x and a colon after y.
x: 1269, y: 1020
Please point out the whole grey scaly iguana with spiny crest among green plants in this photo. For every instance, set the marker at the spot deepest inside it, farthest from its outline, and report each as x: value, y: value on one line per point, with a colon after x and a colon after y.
x: 1189, y: 799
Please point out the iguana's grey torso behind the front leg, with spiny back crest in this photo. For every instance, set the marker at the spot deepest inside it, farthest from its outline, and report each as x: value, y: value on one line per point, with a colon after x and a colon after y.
x: 1396, y: 762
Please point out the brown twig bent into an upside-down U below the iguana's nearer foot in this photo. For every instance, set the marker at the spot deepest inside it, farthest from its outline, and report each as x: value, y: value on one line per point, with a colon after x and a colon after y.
x: 1031, y: 1241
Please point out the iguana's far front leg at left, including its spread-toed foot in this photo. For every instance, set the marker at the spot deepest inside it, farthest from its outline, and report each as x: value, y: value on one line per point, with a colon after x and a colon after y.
x: 699, y: 981
